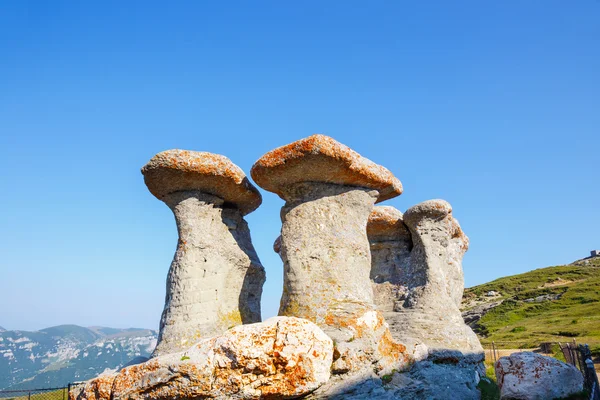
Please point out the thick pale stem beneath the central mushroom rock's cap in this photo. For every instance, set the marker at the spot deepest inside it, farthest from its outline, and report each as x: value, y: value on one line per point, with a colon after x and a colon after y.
x: 326, y: 274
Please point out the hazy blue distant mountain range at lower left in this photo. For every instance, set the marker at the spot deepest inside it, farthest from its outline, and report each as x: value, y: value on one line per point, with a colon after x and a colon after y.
x: 58, y: 355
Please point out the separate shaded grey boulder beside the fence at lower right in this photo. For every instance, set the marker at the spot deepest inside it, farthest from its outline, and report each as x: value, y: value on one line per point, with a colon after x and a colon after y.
x: 530, y: 376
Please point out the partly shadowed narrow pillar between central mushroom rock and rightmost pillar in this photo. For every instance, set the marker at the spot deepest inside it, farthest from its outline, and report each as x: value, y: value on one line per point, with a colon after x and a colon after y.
x: 390, y: 253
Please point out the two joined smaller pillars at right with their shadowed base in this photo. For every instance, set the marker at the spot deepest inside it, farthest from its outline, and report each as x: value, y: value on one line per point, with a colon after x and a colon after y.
x: 418, y: 282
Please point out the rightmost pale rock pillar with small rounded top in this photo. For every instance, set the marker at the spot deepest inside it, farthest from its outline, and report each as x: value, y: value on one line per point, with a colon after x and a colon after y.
x: 429, y: 310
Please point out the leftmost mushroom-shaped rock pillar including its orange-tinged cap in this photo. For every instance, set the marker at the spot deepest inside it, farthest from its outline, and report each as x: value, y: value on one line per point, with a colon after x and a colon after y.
x: 215, y: 280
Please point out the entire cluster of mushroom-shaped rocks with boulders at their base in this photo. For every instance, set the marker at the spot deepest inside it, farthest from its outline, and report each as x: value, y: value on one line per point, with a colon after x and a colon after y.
x: 349, y: 270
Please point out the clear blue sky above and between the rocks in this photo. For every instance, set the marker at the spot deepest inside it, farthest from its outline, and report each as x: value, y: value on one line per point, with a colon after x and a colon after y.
x: 493, y: 106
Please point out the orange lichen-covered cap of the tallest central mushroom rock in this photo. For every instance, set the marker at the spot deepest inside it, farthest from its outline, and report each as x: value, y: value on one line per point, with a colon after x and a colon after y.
x: 319, y: 158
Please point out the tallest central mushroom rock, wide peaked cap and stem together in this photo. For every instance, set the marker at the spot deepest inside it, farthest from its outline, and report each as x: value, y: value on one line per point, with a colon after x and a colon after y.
x: 329, y: 192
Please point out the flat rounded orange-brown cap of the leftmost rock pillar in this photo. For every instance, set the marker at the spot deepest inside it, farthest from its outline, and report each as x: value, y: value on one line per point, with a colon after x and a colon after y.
x: 178, y: 170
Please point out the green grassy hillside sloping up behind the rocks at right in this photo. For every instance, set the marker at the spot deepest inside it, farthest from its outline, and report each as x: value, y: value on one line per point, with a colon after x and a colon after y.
x: 554, y: 304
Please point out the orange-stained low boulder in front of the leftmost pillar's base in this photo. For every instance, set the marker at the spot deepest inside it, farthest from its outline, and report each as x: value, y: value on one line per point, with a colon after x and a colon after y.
x: 280, y: 358
